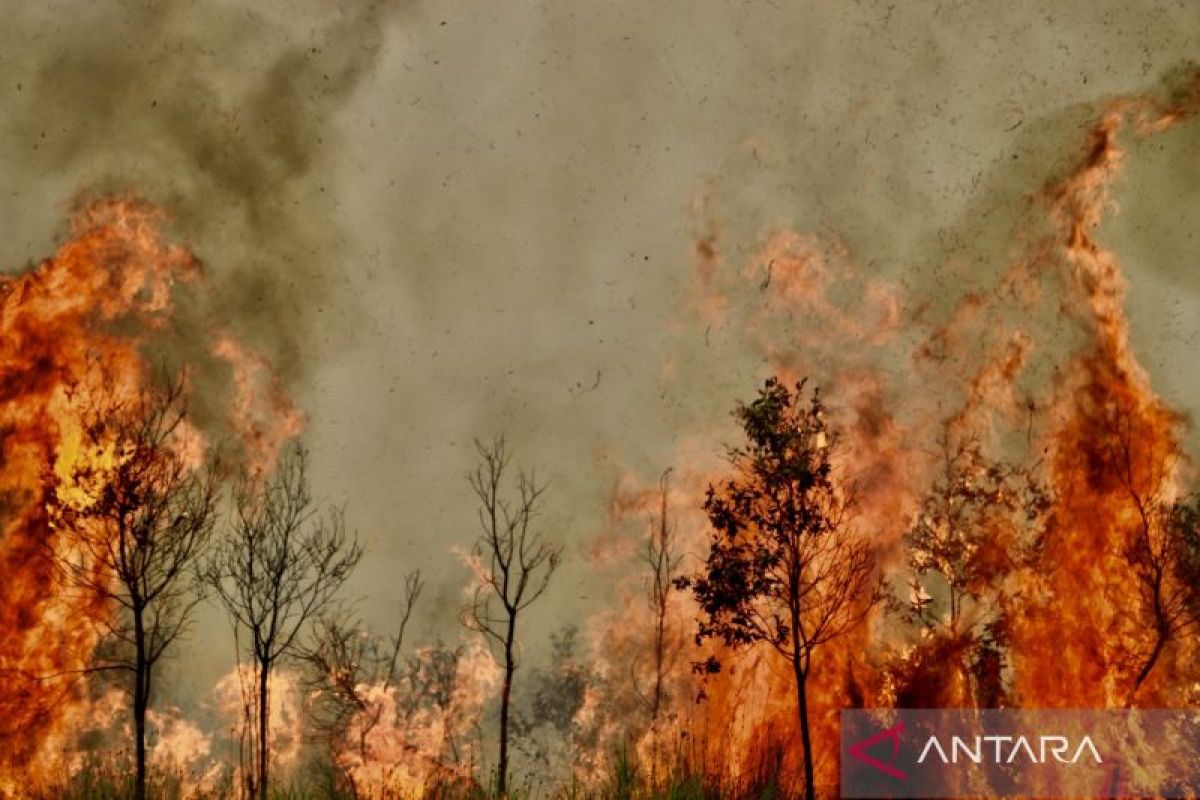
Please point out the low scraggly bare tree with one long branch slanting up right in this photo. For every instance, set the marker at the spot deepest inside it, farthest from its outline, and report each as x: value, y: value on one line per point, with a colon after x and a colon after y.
x: 344, y: 664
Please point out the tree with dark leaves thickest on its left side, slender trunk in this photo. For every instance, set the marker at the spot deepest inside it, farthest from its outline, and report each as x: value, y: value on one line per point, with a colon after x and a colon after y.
x: 785, y: 566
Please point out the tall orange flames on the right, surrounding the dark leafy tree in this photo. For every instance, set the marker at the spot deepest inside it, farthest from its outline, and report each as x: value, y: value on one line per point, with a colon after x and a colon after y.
x: 1075, y: 637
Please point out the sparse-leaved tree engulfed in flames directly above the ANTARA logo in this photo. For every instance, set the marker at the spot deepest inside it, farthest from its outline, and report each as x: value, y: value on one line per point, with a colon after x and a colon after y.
x: 979, y: 524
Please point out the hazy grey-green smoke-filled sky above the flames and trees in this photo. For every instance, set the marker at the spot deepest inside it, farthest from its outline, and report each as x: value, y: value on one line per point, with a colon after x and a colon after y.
x: 445, y: 221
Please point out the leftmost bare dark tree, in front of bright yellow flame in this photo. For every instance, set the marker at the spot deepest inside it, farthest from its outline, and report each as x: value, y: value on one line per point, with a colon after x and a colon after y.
x: 133, y: 521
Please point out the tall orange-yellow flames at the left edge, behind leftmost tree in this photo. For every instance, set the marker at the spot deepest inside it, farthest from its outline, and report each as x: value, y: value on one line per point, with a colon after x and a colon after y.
x: 79, y: 328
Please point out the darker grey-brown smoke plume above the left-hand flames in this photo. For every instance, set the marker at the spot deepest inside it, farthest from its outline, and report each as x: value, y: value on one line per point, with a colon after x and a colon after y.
x: 223, y: 115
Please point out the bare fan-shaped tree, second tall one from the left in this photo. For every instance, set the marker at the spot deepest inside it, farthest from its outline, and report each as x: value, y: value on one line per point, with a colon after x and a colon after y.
x: 279, y: 568
